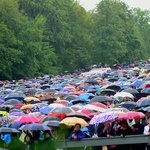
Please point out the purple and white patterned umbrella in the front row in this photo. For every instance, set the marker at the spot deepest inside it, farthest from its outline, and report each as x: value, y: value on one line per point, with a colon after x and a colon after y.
x: 103, y: 117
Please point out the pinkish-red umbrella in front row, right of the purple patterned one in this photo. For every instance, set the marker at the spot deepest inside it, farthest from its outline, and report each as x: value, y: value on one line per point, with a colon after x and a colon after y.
x: 131, y: 115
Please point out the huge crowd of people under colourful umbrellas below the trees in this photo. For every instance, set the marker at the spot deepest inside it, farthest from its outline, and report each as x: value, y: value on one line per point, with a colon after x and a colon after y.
x: 74, y: 92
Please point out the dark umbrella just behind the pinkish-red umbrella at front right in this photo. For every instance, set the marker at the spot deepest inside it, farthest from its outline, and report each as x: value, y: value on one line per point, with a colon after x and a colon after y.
x: 129, y: 105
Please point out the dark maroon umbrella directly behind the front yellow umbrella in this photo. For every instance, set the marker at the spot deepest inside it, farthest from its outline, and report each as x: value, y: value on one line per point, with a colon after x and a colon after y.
x: 79, y: 115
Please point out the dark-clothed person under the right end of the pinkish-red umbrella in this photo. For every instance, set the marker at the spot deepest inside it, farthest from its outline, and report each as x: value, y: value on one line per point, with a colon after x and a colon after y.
x: 137, y: 128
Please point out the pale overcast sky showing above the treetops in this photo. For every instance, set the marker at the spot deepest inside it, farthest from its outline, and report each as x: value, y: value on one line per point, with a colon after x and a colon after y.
x: 142, y: 4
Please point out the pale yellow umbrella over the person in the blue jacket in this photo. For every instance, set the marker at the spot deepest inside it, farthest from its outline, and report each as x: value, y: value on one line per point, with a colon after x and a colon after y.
x: 71, y: 121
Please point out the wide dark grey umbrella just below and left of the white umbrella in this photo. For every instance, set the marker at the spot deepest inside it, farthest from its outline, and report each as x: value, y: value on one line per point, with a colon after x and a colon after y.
x: 101, y: 99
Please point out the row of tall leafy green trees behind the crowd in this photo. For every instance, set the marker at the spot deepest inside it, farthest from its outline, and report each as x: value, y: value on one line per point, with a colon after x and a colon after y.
x: 50, y: 36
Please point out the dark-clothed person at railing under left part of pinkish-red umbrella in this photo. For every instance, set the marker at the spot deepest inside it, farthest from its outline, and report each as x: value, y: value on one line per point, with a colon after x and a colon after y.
x: 124, y: 130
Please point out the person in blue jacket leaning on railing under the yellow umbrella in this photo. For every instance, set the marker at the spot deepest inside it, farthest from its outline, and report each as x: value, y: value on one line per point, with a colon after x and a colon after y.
x: 76, y: 134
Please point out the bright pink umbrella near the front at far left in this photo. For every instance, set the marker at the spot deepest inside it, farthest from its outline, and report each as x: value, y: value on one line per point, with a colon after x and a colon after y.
x: 27, y: 119
